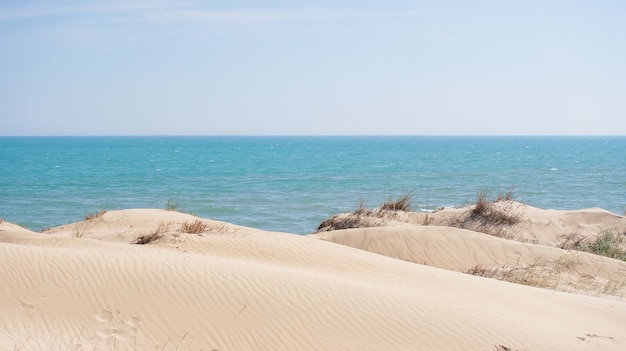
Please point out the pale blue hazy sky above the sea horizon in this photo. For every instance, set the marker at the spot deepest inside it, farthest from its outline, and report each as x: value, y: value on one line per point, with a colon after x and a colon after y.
x: 313, y: 67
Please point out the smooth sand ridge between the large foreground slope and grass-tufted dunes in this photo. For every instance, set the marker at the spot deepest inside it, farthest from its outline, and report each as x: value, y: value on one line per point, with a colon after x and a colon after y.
x: 467, y: 251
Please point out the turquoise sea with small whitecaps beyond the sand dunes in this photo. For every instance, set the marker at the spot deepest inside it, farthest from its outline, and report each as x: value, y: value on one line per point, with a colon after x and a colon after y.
x: 292, y: 183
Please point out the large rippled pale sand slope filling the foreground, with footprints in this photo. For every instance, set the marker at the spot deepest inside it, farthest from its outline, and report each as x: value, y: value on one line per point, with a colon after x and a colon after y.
x: 85, y: 287
